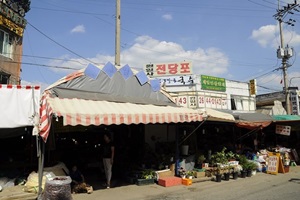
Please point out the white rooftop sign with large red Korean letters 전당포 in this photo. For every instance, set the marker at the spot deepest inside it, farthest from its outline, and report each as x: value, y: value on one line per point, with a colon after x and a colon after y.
x: 168, y: 69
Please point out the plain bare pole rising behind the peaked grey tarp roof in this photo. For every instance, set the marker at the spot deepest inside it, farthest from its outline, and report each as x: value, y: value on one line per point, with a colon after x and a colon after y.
x: 118, y: 29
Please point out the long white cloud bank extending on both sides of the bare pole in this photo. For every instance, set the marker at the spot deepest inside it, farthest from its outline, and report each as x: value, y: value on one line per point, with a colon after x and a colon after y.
x: 145, y: 49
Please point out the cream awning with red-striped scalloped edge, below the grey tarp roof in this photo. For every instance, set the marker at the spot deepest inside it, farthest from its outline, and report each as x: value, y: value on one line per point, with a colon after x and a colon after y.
x: 89, y: 112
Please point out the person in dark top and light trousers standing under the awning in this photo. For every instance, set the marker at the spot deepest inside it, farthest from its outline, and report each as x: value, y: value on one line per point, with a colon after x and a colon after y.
x: 108, y: 157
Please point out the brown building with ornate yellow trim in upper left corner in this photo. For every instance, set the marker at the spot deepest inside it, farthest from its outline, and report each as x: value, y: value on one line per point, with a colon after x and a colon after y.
x: 12, y: 25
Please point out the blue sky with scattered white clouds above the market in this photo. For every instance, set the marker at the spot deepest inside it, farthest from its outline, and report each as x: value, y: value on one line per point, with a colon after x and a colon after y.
x: 232, y: 39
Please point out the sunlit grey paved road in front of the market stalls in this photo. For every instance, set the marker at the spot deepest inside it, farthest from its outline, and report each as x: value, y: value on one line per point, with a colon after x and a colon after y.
x: 261, y: 186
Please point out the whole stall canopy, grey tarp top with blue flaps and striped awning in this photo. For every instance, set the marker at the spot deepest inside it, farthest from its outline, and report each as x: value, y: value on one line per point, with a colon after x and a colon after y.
x: 106, y: 95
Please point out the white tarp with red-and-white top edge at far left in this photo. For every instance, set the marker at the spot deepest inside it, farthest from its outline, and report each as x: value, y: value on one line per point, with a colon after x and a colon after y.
x: 19, y: 105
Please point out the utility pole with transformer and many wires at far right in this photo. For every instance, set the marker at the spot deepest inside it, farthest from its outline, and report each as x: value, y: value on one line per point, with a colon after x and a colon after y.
x: 284, y: 53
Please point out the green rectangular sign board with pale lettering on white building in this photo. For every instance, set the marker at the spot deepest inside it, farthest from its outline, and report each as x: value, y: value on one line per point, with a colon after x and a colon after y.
x: 213, y: 83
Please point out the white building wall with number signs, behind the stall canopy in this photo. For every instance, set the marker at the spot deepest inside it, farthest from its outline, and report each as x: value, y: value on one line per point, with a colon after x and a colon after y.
x: 190, y: 94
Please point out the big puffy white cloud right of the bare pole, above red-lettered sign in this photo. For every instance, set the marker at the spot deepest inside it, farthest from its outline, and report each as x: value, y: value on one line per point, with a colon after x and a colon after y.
x: 146, y: 49
